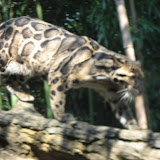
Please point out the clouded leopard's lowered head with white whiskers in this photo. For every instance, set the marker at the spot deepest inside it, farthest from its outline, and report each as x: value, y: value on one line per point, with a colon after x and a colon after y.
x: 129, y: 76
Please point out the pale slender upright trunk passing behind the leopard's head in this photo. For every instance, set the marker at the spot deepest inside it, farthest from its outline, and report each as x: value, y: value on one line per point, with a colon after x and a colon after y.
x: 129, y: 50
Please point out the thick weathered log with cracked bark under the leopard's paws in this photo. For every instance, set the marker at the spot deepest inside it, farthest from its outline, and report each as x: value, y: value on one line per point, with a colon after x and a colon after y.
x: 25, y: 134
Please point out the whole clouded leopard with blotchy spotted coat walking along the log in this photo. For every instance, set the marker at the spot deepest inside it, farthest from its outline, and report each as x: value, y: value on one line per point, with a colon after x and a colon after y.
x: 31, y: 47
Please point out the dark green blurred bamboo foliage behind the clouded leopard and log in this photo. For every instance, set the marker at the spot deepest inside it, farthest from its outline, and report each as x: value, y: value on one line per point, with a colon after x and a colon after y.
x: 96, y: 19
